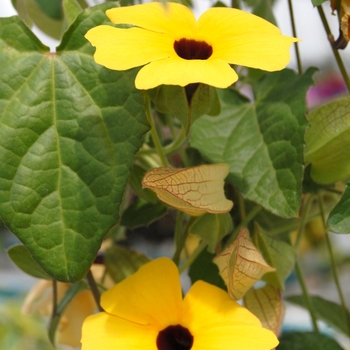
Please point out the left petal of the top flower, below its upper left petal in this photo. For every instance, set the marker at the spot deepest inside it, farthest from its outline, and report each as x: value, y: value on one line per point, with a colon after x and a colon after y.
x: 122, y: 49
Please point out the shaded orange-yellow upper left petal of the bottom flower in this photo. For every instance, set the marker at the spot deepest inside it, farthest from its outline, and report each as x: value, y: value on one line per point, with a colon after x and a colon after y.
x: 150, y: 296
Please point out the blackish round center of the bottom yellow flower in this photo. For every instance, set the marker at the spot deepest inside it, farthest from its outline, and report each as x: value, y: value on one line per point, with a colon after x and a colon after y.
x: 174, y: 338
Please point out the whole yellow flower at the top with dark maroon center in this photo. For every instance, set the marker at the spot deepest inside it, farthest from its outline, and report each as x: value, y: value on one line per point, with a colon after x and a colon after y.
x: 176, y: 49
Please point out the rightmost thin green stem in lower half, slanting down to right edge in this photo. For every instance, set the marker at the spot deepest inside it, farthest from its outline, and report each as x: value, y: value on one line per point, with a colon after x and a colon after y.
x: 333, y: 263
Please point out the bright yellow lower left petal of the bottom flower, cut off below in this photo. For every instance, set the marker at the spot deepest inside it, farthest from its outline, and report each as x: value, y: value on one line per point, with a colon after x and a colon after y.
x: 104, y: 331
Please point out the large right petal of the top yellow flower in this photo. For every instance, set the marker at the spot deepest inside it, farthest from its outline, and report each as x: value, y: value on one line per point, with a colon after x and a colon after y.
x: 244, y: 39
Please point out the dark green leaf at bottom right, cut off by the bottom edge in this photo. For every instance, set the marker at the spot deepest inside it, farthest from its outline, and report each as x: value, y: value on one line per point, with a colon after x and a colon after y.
x: 307, y: 340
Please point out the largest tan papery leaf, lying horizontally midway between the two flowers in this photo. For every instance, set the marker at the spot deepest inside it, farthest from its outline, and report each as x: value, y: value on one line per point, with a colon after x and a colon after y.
x: 195, y: 190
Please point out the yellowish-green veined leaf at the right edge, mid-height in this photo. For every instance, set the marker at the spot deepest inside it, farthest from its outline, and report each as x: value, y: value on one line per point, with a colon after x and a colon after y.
x: 328, y: 141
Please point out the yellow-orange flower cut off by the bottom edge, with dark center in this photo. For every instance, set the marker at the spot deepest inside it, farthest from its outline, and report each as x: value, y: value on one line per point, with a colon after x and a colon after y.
x: 146, y: 312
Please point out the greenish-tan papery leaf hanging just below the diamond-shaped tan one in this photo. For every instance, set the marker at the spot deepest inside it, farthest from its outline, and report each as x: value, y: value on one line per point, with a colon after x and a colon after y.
x: 267, y: 305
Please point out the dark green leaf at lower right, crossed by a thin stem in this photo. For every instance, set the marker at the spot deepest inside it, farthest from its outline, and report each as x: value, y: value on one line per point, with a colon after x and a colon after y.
x: 328, y: 311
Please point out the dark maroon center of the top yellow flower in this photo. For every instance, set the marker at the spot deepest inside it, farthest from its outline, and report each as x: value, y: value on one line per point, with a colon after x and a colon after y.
x: 189, y: 49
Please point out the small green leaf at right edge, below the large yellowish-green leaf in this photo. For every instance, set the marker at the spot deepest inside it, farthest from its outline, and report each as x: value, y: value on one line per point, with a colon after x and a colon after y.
x: 339, y: 217
